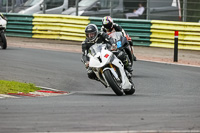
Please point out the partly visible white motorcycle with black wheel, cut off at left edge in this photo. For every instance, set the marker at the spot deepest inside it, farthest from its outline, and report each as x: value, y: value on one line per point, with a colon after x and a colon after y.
x: 3, y: 41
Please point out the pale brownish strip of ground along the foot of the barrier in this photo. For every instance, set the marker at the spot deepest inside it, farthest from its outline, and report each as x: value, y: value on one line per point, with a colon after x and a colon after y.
x: 154, y: 54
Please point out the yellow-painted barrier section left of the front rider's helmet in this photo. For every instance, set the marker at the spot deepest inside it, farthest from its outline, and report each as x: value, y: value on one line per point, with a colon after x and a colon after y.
x: 64, y: 27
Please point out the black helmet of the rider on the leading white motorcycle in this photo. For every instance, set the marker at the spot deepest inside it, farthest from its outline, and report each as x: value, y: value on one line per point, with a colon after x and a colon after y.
x: 91, y: 32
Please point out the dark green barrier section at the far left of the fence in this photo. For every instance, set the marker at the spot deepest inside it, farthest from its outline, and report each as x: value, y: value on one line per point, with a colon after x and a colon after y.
x: 19, y: 25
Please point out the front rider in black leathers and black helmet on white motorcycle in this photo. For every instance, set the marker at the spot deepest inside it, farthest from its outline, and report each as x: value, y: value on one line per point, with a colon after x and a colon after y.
x: 92, y: 37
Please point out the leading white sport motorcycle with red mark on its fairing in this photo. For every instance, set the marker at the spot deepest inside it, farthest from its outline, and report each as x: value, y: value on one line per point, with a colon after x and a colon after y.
x: 109, y: 70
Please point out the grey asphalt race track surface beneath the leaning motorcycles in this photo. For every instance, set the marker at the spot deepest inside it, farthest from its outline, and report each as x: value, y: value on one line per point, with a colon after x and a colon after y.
x: 166, y: 98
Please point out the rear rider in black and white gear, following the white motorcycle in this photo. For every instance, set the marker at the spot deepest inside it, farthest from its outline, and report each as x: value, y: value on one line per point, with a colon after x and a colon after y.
x: 109, y: 26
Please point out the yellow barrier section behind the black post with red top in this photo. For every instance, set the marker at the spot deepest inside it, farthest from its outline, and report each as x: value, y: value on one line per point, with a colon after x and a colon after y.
x: 163, y: 34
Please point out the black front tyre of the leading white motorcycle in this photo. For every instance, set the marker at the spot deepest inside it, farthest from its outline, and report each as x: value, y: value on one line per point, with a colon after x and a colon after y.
x: 113, y: 84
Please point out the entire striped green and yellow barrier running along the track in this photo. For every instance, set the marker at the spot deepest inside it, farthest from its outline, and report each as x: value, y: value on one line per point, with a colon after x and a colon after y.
x: 152, y: 33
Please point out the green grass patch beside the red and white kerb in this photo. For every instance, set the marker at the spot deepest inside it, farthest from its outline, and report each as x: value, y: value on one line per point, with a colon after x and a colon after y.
x: 15, y: 87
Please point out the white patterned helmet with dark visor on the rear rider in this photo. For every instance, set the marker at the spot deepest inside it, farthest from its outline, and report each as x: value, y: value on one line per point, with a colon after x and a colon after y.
x: 107, y: 22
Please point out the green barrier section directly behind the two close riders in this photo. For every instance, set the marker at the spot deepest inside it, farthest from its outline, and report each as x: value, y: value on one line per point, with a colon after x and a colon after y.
x: 138, y: 30
